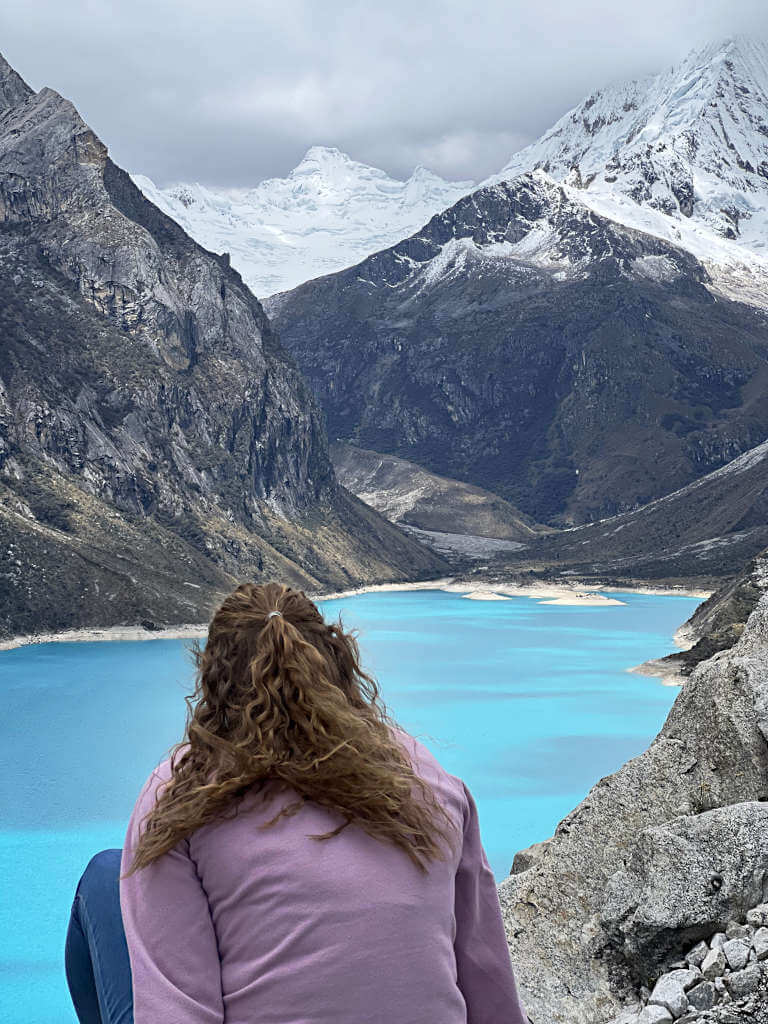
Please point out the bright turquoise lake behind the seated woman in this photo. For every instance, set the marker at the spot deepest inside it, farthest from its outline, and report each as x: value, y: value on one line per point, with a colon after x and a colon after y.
x: 529, y: 704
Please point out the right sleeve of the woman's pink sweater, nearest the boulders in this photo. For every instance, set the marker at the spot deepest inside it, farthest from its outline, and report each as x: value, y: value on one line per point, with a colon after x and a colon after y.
x: 484, y: 968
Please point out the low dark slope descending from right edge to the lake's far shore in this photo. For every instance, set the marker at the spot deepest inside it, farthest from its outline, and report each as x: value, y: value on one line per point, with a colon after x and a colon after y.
x: 704, y: 532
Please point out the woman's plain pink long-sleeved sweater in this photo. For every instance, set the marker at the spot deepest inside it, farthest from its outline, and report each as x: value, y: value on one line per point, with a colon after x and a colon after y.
x: 247, y: 927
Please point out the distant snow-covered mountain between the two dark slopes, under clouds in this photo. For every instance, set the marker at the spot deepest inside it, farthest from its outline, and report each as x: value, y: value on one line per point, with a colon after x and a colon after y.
x: 328, y: 215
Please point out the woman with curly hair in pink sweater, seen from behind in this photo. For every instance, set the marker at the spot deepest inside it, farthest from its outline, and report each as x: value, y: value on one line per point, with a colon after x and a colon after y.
x: 300, y: 860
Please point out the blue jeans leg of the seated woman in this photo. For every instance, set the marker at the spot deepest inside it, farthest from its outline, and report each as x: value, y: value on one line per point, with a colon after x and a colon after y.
x: 99, y: 971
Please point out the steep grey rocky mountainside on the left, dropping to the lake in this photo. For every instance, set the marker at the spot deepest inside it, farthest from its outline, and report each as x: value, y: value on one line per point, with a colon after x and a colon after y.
x: 157, y: 444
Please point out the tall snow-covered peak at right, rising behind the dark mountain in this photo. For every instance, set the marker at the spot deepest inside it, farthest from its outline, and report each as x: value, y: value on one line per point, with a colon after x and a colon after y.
x: 692, y: 143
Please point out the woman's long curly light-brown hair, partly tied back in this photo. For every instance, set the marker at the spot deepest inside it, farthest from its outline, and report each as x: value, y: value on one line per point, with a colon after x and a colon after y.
x: 284, y: 698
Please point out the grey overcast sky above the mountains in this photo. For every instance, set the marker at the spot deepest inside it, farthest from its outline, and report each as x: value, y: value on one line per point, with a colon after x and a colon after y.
x: 230, y: 93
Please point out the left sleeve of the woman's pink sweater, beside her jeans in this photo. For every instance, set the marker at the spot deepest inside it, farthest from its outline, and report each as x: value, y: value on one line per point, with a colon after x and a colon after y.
x: 176, y: 966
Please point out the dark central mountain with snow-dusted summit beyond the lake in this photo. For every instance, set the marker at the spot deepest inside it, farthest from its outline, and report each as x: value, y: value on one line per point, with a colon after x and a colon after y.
x: 524, y: 344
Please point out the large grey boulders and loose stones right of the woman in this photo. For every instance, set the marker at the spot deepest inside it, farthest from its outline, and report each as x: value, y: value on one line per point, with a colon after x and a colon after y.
x: 651, y: 902
